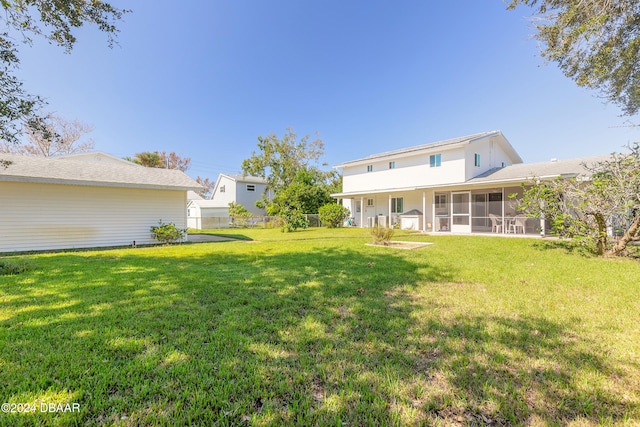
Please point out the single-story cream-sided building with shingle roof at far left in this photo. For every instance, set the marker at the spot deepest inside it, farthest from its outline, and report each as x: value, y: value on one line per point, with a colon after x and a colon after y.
x: 87, y: 200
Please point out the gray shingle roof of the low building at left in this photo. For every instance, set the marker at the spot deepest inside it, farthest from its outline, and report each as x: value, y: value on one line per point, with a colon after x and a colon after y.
x: 61, y: 170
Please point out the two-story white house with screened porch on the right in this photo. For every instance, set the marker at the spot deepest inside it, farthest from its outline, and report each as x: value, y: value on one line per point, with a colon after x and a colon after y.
x: 458, y: 185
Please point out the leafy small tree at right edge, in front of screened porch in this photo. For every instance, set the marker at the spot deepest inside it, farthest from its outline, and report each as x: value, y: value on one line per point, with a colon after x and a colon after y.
x: 604, y: 200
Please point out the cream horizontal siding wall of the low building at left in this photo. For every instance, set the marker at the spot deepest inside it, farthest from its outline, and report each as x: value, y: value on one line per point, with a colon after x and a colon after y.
x: 54, y: 216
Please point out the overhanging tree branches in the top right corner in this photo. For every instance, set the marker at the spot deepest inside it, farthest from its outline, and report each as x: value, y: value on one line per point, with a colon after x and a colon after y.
x: 594, y: 42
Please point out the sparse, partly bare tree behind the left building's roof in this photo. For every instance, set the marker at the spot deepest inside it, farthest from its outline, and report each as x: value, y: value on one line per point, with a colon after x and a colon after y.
x: 53, y: 136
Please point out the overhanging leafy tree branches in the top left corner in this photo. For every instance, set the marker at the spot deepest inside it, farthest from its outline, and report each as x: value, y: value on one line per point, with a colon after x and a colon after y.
x: 56, y: 21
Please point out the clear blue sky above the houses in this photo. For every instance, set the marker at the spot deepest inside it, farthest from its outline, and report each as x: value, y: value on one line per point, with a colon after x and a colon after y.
x: 206, y: 78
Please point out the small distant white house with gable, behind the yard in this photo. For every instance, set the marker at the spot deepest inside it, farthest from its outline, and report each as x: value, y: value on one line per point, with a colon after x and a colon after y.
x: 246, y: 190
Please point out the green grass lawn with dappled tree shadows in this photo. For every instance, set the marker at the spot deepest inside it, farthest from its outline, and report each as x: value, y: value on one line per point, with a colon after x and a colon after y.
x: 315, y: 328
